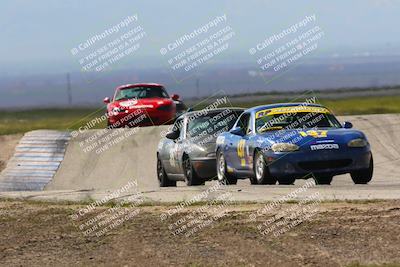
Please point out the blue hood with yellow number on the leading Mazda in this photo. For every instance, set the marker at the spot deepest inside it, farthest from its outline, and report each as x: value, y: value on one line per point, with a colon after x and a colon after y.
x: 303, y: 137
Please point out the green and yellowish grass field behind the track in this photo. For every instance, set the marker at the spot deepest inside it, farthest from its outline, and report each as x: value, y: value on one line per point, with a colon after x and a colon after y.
x: 62, y: 119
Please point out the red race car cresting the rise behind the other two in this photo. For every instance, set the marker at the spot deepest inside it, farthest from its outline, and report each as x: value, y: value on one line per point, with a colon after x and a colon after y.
x: 143, y: 104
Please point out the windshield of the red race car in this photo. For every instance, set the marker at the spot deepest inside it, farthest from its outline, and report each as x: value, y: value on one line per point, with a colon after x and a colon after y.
x: 141, y: 92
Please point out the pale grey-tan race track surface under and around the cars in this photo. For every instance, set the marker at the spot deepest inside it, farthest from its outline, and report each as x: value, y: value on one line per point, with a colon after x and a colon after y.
x: 93, y: 175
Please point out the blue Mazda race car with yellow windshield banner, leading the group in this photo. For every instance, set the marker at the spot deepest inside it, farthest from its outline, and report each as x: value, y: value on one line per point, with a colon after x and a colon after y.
x: 285, y: 142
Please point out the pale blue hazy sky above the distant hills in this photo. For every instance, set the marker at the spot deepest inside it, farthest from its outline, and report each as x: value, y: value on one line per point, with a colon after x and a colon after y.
x: 38, y: 35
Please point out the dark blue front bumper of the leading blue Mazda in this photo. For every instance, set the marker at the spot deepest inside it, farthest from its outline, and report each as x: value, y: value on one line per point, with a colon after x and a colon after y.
x: 325, y: 162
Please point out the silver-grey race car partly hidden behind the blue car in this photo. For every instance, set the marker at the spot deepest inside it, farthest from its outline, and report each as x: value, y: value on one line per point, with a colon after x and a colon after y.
x: 187, y: 153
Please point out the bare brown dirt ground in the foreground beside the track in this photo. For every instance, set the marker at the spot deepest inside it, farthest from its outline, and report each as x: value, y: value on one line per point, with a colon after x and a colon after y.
x: 338, y: 234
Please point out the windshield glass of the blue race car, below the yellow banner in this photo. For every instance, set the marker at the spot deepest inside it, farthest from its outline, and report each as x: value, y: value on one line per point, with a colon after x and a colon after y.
x: 295, y: 121
